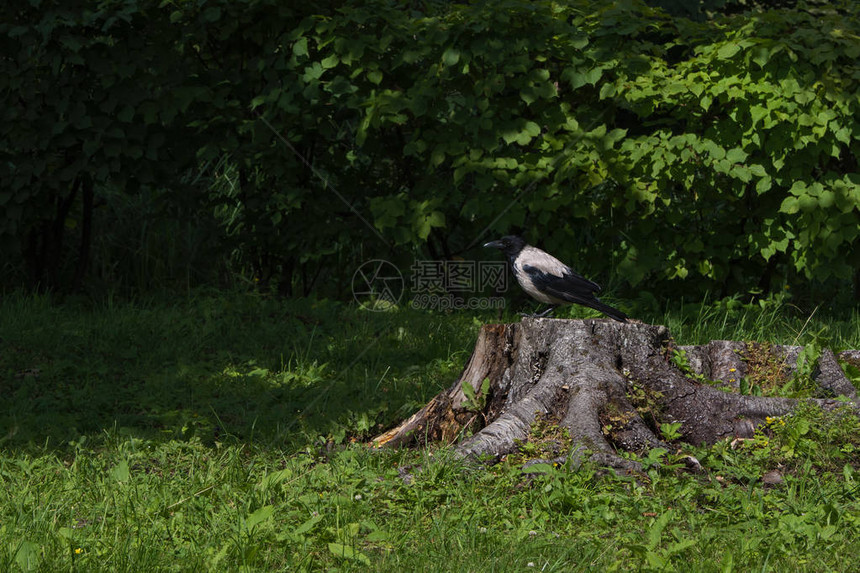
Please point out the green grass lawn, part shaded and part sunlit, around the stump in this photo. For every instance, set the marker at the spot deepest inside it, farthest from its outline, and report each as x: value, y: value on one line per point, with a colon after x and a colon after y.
x: 226, y: 432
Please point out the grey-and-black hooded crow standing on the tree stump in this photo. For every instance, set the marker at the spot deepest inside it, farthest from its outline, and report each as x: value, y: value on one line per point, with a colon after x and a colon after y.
x: 548, y: 280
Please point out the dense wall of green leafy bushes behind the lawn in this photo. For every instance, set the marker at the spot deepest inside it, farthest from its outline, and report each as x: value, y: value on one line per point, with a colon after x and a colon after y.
x: 715, y: 153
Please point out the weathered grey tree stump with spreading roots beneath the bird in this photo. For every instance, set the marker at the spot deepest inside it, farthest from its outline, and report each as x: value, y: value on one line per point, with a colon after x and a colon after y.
x: 611, y: 385
